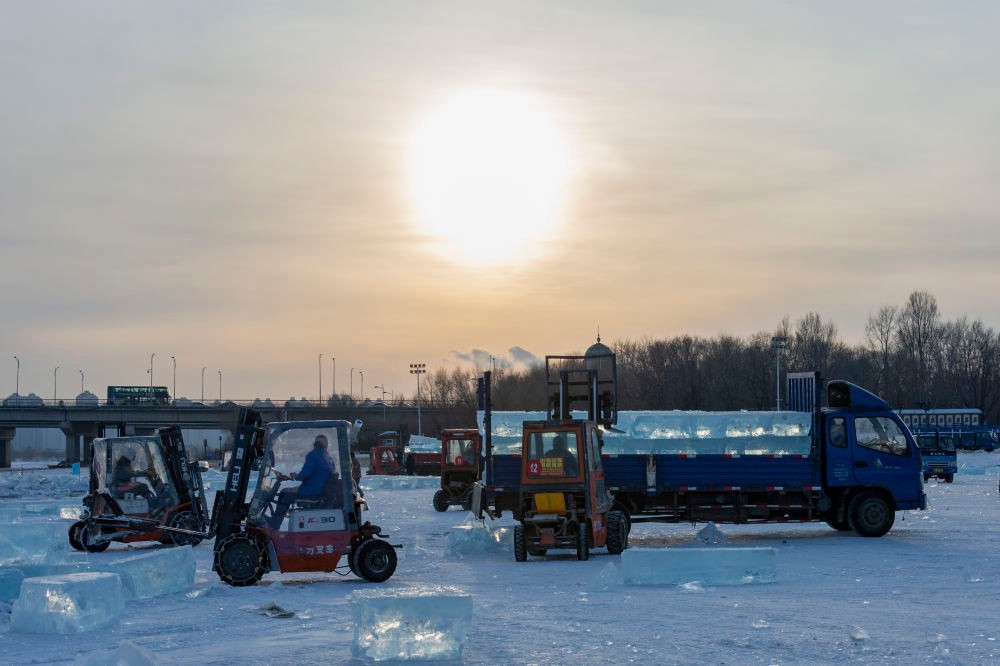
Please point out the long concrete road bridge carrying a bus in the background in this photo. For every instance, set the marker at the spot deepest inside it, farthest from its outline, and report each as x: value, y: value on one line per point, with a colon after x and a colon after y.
x: 81, y: 424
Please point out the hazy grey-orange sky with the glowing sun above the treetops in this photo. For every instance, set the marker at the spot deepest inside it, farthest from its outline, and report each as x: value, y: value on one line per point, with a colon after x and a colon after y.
x: 242, y: 186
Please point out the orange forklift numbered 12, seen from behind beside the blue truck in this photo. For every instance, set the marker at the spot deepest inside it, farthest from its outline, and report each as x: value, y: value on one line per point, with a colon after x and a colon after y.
x: 563, y: 501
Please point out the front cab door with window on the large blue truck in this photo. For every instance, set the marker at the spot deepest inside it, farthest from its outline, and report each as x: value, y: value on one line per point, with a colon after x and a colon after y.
x: 884, y: 455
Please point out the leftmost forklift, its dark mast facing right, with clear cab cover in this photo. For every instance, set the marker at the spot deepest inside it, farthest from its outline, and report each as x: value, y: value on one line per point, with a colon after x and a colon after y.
x: 142, y: 488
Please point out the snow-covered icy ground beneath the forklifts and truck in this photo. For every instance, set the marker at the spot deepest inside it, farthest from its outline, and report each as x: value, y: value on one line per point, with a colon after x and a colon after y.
x: 925, y: 593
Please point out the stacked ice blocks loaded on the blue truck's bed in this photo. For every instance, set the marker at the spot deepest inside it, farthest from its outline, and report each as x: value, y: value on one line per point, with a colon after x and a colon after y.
x: 677, y: 432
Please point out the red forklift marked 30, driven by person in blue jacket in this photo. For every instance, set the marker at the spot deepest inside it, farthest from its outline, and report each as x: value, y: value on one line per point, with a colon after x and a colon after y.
x: 306, y: 534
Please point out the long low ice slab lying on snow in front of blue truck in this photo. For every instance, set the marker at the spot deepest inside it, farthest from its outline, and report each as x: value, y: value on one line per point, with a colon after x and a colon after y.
x: 709, y: 566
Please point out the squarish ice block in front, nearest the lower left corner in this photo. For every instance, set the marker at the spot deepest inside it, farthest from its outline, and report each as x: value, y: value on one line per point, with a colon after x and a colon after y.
x: 68, y: 604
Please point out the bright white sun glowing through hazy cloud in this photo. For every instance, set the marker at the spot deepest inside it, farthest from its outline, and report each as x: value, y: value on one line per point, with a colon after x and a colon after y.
x: 488, y: 176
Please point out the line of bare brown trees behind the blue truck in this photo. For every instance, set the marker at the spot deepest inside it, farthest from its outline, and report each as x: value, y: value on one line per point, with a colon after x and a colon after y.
x: 909, y: 356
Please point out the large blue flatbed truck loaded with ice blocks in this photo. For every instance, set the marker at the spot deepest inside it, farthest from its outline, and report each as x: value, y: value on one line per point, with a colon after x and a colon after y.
x: 852, y: 463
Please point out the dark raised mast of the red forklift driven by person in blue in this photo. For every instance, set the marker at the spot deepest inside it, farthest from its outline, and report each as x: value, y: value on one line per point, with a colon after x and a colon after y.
x: 230, y: 508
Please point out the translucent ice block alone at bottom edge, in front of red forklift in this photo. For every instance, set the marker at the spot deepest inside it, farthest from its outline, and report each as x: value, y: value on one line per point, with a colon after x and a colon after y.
x: 410, y: 624
